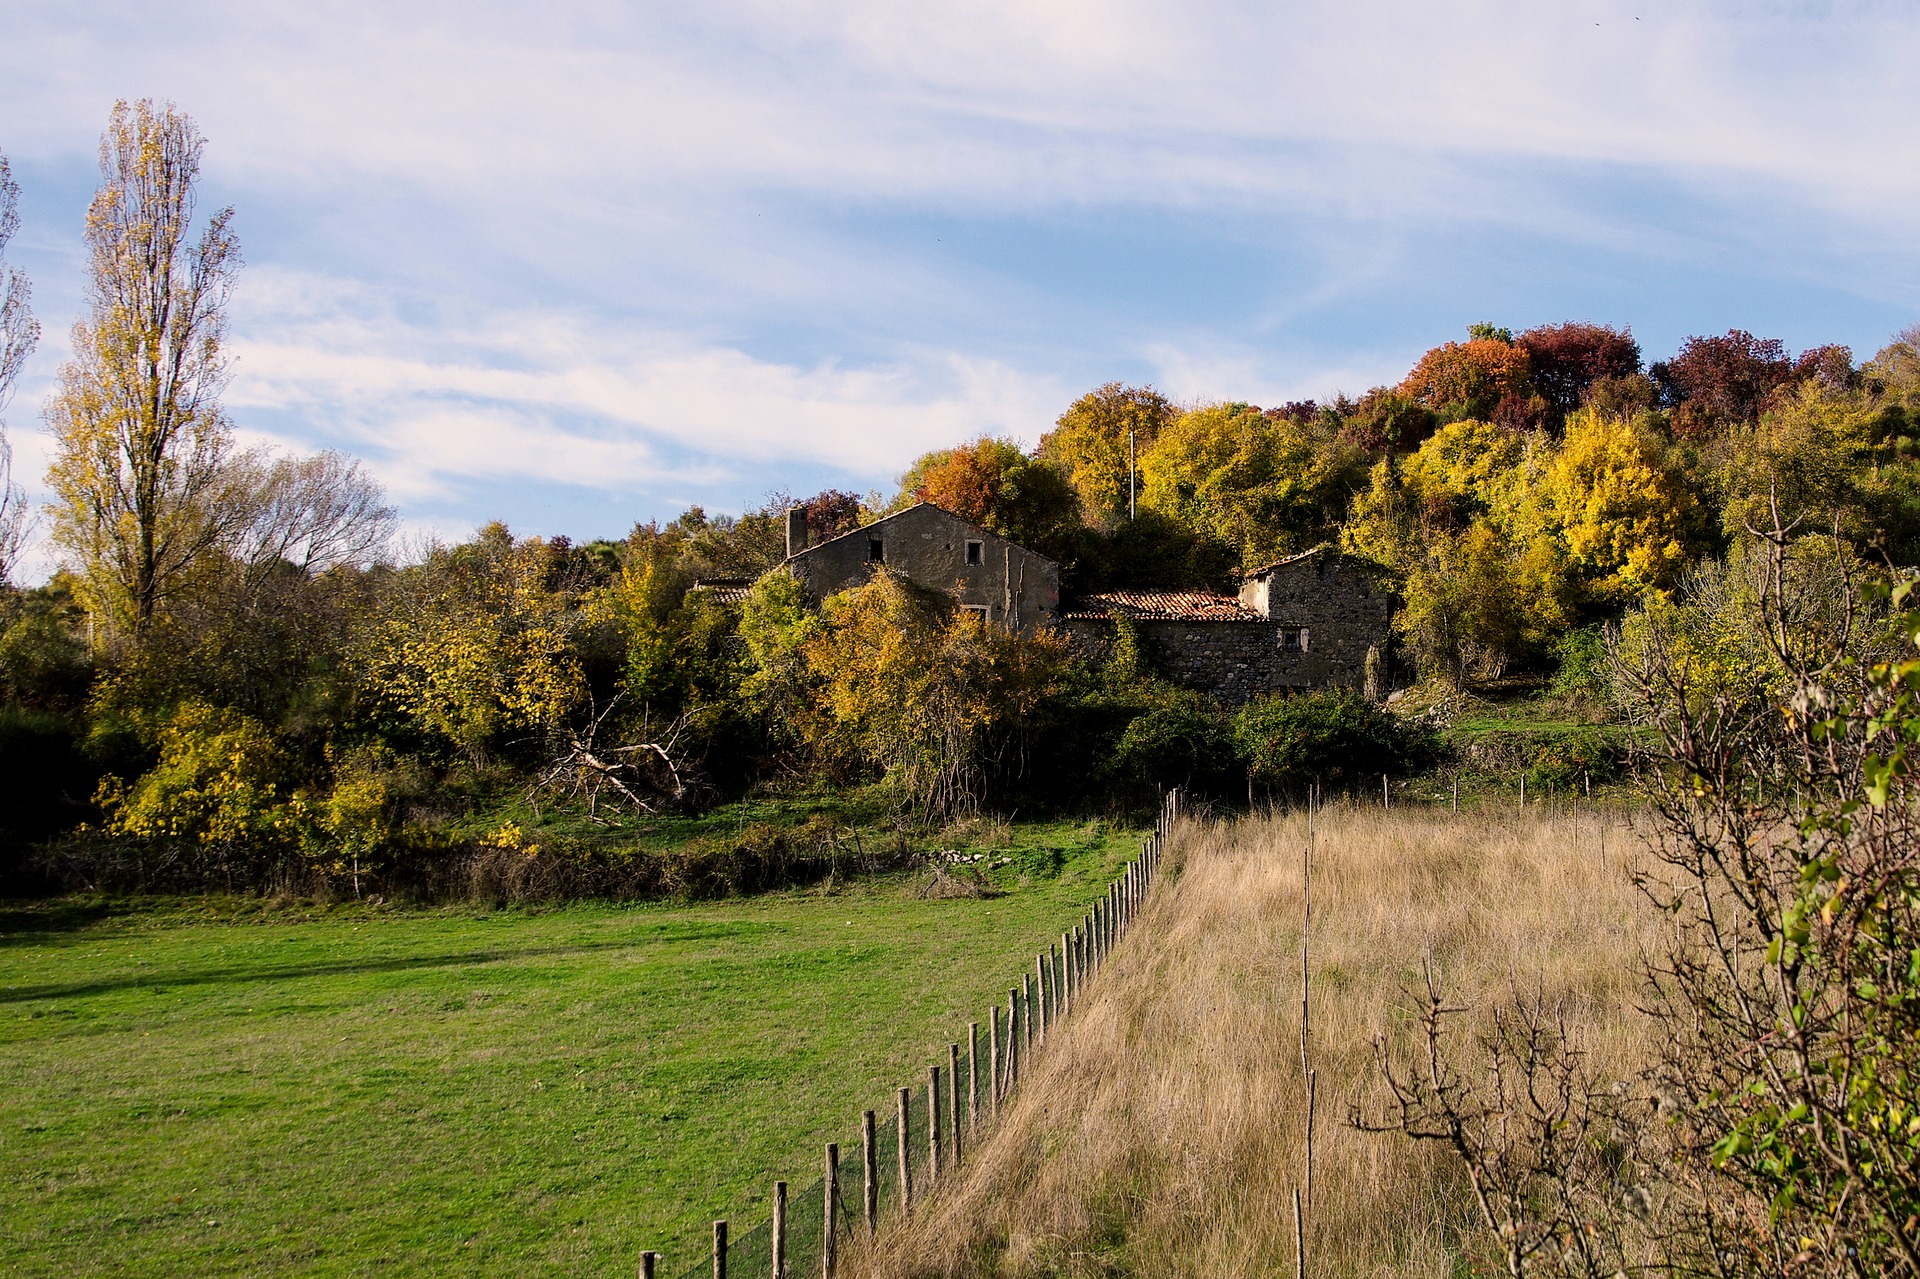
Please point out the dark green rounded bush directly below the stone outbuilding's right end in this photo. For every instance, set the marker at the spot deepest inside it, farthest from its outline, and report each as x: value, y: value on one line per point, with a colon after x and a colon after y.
x: 1335, y: 738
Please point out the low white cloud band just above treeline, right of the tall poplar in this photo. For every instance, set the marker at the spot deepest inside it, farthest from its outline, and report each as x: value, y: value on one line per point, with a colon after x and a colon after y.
x: 556, y: 398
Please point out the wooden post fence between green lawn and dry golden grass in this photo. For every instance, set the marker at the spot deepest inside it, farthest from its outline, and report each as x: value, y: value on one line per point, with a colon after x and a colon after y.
x: 805, y: 1234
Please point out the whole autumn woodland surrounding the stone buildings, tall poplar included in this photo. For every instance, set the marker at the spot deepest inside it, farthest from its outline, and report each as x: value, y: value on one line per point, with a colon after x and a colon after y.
x: 231, y: 665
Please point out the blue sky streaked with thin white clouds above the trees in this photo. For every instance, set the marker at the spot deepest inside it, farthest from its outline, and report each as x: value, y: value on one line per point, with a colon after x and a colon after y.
x: 579, y: 266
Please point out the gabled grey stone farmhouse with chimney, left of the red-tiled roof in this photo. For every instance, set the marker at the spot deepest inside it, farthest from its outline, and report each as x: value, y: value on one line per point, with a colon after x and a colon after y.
x: 986, y: 573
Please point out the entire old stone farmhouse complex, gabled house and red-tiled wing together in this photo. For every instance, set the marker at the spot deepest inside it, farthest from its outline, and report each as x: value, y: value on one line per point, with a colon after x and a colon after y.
x: 1318, y: 619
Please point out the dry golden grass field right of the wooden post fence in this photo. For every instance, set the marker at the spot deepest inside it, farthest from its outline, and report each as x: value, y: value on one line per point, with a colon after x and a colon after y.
x: 1163, y: 1130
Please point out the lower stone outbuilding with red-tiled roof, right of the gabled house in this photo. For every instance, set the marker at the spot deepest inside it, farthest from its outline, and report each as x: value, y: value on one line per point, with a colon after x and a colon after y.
x: 1301, y: 623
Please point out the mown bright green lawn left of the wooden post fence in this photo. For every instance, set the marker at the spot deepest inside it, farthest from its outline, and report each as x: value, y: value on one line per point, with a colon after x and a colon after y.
x: 224, y: 1088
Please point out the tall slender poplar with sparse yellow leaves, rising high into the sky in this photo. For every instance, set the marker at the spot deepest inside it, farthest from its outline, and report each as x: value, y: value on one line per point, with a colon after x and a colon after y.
x: 141, y: 479
